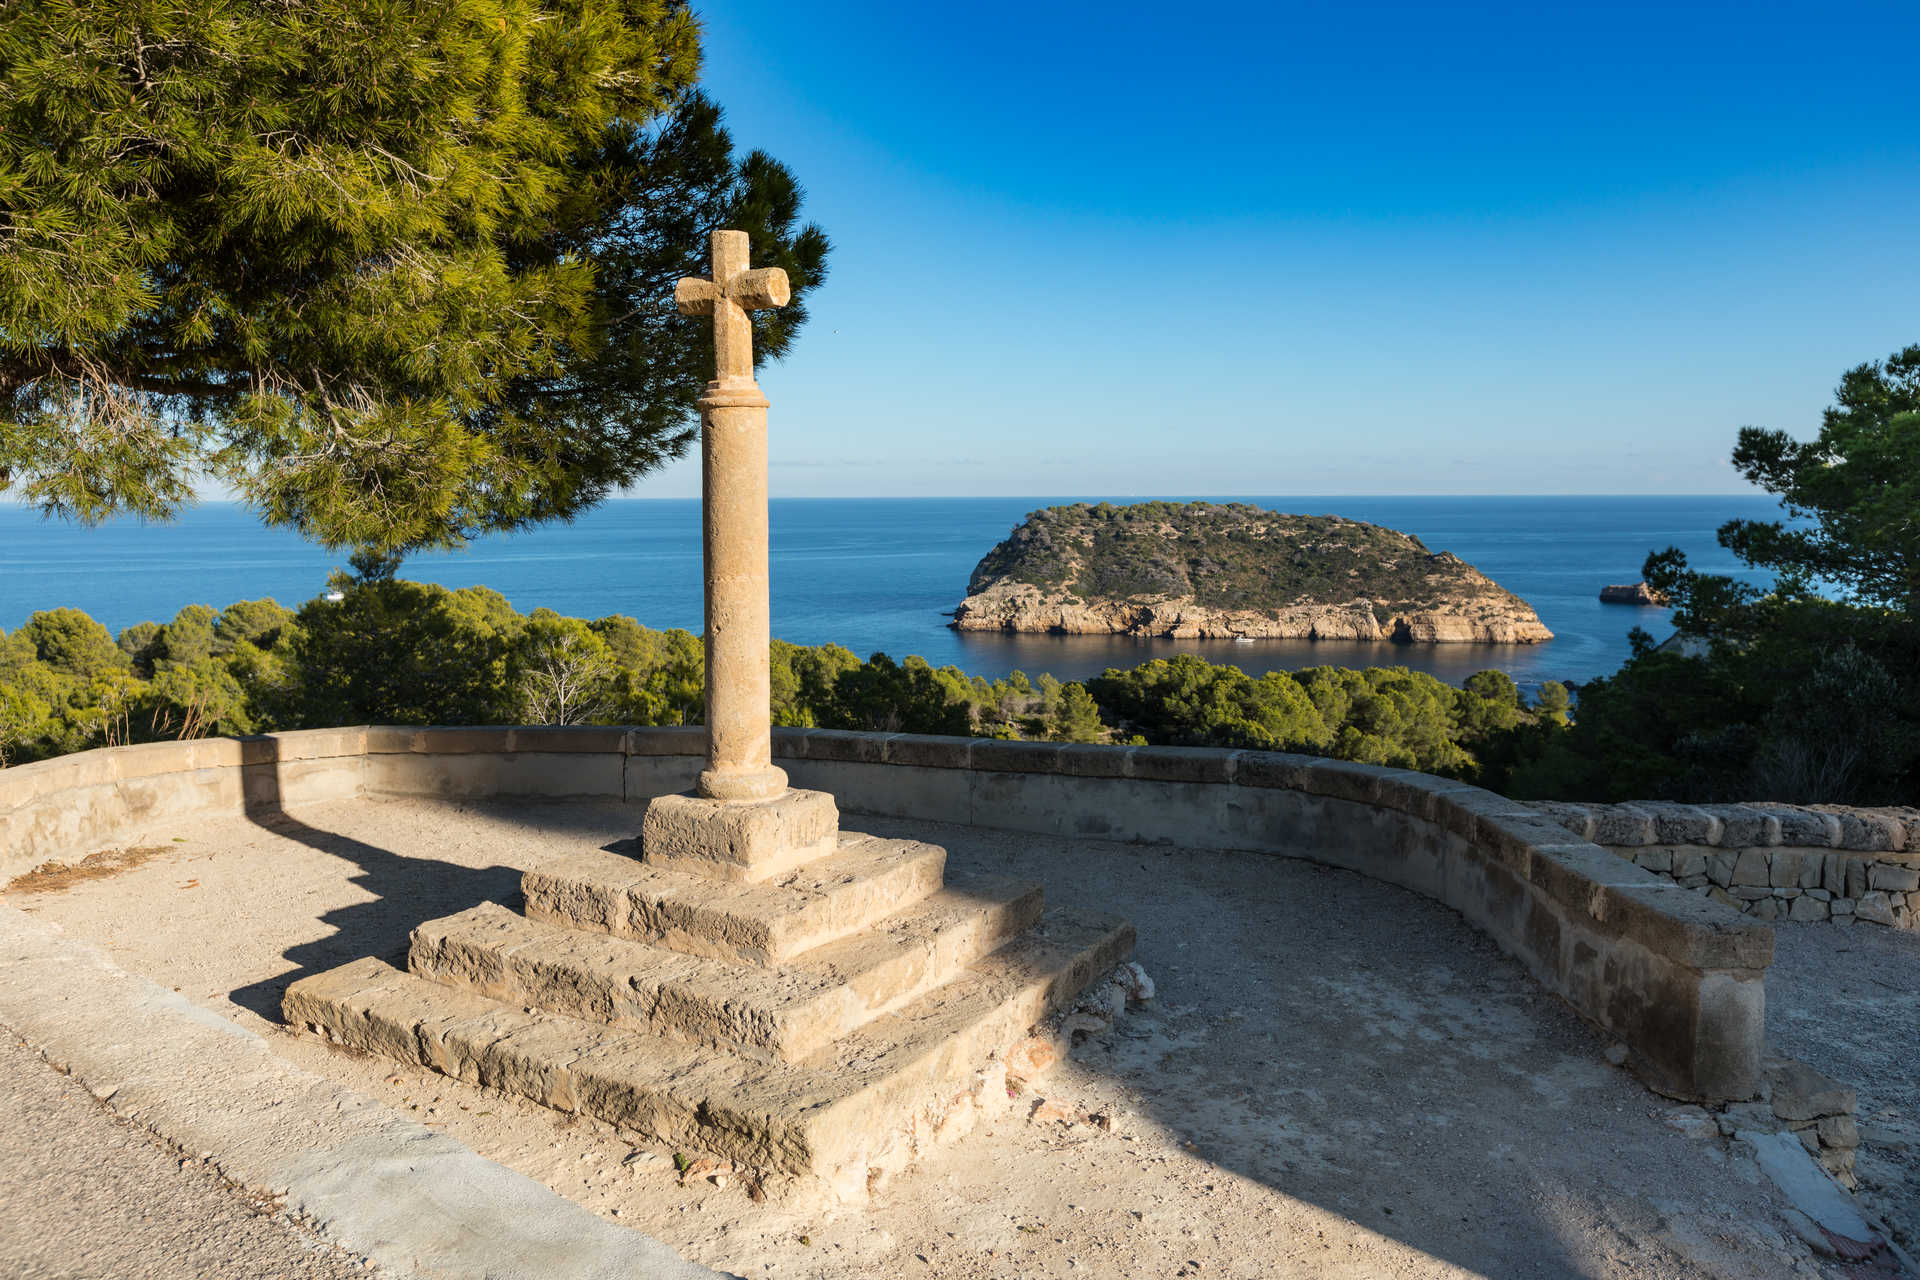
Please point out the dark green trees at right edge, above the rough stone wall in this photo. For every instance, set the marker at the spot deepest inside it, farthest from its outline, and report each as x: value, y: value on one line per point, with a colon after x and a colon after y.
x: 1804, y: 692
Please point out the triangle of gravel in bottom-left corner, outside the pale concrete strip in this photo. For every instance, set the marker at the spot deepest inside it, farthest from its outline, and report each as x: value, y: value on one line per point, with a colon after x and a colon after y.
x: 87, y: 1197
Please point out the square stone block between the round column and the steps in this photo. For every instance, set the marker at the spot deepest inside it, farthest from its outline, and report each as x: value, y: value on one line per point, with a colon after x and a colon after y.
x: 740, y: 840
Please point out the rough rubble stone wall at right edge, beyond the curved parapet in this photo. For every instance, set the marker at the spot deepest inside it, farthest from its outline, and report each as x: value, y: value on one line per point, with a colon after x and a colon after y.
x: 1769, y: 861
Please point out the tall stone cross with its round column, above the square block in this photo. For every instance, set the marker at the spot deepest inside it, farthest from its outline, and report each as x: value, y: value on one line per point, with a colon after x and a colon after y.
x: 740, y: 744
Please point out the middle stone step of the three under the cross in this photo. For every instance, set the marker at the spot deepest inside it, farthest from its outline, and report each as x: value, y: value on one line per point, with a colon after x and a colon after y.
x: 788, y: 1012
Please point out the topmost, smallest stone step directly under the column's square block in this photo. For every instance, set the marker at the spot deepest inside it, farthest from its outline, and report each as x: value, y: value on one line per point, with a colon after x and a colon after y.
x: 761, y: 922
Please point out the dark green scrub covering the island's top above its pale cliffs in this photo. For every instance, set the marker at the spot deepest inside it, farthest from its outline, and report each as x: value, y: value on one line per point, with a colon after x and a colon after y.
x: 1222, y: 556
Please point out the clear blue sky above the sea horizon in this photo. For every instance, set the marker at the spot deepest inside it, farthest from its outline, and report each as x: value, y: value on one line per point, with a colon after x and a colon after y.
x: 1326, y: 249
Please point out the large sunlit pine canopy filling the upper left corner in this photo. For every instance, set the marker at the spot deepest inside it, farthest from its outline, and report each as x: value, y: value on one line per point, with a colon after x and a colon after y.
x: 396, y: 272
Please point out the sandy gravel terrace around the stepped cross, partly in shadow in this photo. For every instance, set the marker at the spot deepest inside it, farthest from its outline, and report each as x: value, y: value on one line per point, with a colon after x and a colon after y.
x: 1339, y: 1078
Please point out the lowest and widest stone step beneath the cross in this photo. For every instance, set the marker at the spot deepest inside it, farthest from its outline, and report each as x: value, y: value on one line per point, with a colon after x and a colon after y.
x: 846, y: 1118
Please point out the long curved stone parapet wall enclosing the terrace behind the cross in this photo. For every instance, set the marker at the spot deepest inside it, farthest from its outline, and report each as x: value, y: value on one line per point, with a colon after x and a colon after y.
x: 1673, y: 974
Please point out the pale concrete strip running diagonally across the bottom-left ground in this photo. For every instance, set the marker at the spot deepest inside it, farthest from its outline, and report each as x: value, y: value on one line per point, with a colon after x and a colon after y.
x: 368, y: 1179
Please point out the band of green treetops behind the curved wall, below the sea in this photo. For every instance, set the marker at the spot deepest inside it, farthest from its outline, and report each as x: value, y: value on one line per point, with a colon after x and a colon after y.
x: 393, y: 652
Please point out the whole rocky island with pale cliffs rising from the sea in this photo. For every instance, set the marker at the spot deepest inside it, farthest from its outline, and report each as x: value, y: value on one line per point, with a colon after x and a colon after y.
x: 1228, y: 571
